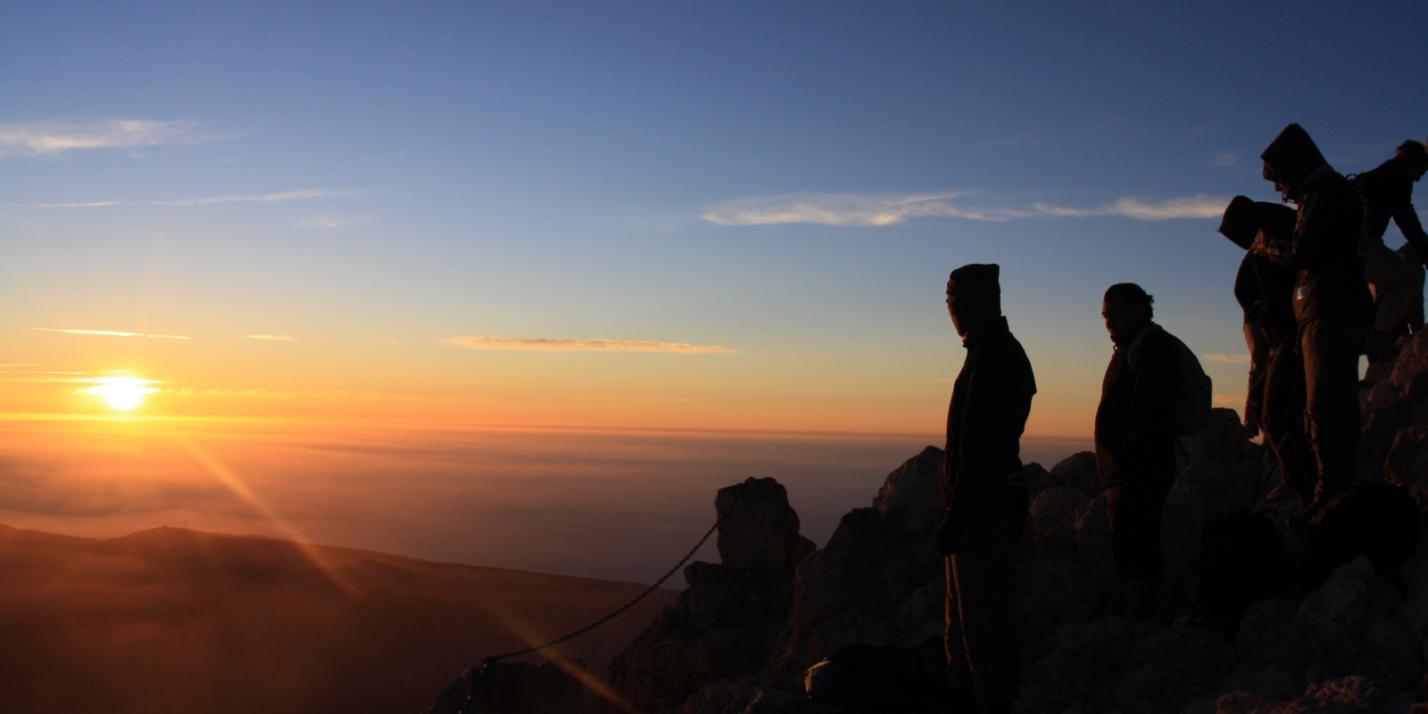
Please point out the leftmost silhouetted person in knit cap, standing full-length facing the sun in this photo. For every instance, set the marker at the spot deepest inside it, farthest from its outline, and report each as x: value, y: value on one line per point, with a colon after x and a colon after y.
x: 983, y: 491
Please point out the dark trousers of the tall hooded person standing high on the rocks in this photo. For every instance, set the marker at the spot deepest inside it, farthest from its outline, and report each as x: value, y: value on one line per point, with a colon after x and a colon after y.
x: 1330, y: 351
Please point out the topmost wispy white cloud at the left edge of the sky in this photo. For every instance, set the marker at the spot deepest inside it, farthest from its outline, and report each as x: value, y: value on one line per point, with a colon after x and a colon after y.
x: 55, y: 139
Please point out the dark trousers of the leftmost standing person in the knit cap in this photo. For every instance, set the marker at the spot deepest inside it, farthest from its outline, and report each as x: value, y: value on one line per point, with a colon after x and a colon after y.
x: 982, y: 599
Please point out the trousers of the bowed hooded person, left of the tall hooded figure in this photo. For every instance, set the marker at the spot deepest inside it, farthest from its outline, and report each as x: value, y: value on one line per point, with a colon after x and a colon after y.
x: 1284, y: 421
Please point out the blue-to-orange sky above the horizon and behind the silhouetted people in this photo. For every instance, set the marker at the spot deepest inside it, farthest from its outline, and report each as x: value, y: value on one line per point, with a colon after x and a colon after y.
x: 719, y: 216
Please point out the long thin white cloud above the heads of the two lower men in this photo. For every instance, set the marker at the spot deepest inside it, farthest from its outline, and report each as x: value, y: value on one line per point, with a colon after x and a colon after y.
x: 866, y: 211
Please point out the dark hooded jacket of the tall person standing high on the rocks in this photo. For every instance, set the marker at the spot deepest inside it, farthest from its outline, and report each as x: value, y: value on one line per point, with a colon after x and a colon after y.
x: 1326, y: 243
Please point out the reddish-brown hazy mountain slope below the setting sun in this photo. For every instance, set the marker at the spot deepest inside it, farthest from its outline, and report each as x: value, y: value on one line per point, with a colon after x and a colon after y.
x: 178, y: 620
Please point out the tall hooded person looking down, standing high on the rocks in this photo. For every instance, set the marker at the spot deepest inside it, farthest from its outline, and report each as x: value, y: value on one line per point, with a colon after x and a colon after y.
x: 1332, y: 302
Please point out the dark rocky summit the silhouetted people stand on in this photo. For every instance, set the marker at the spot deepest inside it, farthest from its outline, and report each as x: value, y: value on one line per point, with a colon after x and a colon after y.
x: 1327, y: 618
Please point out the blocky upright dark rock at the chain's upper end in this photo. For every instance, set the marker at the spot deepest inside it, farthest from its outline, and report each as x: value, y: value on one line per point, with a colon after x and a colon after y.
x: 759, y: 531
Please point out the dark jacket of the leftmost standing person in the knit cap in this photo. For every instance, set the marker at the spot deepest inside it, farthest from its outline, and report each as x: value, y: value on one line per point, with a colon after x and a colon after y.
x: 985, y: 423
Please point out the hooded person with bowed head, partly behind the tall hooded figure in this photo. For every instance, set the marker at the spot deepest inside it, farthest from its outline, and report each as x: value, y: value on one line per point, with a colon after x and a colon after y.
x: 1264, y: 289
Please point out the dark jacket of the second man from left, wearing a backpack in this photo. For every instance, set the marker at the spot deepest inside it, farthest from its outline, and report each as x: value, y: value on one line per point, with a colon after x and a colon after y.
x: 1136, y: 421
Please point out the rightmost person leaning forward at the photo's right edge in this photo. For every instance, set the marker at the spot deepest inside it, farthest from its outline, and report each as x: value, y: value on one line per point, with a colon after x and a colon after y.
x: 1397, y: 279
